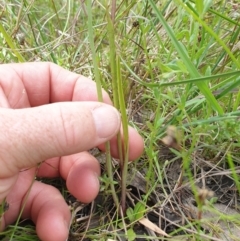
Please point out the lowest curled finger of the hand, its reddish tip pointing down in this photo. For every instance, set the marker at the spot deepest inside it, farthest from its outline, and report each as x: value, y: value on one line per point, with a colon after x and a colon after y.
x: 49, y: 212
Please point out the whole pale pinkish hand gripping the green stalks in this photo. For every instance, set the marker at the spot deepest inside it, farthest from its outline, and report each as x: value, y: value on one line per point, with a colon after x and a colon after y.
x: 50, y: 114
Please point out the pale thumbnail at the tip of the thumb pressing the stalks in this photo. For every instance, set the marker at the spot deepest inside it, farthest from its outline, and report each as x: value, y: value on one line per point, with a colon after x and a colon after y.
x: 107, y: 121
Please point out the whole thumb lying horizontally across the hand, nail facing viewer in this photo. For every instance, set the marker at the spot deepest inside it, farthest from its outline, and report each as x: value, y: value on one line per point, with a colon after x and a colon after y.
x: 32, y: 135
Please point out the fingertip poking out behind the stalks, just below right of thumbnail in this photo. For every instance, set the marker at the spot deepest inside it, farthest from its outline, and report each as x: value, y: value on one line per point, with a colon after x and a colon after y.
x: 136, y: 145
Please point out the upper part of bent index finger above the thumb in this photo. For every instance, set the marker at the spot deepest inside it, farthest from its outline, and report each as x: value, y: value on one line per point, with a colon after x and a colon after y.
x: 41, y: 83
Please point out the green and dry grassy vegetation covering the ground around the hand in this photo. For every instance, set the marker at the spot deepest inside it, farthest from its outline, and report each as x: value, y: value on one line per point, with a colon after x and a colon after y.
x: 172, y: 68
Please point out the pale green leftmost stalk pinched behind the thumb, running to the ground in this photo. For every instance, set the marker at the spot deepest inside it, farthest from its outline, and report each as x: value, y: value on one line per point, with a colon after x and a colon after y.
x: 95, y: 60
